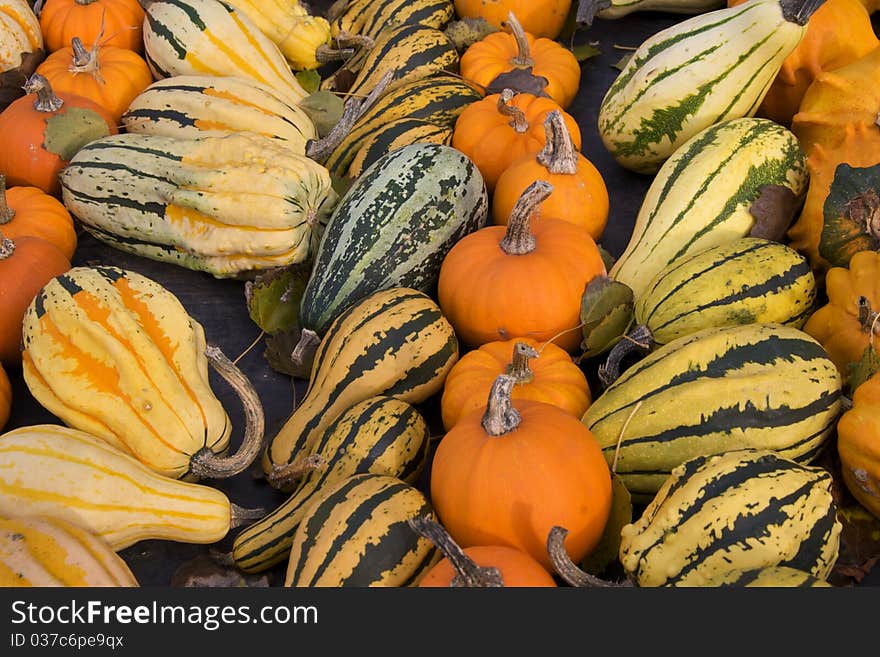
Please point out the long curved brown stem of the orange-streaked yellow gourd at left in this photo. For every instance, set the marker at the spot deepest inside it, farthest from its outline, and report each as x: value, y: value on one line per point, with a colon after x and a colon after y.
x: 206, y: 464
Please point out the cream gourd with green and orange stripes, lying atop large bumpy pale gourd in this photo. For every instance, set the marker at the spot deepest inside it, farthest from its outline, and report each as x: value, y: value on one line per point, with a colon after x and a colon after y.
x: 187, y: 106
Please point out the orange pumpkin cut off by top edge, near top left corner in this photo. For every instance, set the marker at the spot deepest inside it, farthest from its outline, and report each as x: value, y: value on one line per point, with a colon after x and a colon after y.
x: 120, y: 20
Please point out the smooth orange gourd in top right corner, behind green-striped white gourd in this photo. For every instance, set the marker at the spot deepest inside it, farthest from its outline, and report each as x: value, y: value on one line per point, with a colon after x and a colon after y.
x: 838, y: 33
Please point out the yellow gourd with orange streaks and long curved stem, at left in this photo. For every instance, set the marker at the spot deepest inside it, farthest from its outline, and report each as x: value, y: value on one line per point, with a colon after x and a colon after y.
x: 113, y: 353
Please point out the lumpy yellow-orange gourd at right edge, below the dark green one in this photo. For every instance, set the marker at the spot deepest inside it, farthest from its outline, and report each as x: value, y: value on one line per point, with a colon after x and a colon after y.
x: 846, y: 325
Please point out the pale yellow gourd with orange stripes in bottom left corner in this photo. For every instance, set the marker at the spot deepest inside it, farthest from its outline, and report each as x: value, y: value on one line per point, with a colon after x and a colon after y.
x: 45, y: 551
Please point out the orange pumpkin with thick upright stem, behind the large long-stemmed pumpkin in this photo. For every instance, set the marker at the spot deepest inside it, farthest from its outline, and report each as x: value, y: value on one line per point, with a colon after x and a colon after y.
x: 579, y: 191
